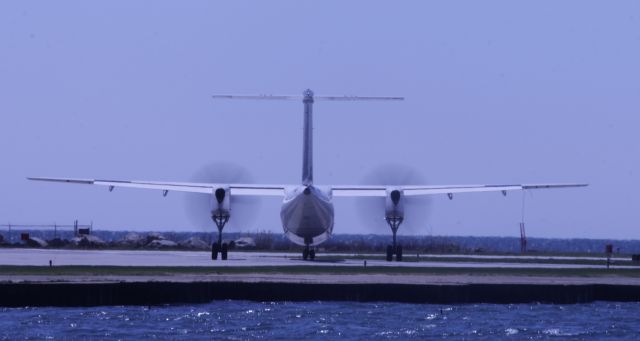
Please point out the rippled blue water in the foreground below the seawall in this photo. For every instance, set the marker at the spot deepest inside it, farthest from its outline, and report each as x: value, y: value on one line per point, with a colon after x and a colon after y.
x: 237, y: 320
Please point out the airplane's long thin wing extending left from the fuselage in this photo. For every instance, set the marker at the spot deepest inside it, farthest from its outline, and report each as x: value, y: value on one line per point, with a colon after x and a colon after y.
x: 208, y: 188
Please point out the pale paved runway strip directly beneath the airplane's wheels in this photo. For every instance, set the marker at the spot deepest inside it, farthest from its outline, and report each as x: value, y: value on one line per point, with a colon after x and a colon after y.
x: 41, y: 257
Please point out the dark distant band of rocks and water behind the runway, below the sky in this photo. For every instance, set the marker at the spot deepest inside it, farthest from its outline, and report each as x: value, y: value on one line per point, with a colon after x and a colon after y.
x: 273, y: 241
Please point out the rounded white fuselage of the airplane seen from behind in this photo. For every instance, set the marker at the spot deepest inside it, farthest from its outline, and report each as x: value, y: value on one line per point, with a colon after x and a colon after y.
x: 307, y: 215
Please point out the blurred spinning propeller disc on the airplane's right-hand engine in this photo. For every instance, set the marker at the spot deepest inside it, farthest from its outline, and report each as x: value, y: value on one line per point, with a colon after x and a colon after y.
x: 371, y: 210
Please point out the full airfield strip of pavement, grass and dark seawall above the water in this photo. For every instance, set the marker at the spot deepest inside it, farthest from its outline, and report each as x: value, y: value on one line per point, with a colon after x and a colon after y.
x: 166, y: 277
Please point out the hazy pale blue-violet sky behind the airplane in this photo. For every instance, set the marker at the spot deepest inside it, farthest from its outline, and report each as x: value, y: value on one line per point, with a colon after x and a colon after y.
x: 496, y: 92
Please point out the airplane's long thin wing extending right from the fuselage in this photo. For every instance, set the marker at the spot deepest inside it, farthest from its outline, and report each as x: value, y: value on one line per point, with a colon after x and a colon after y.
x: 380, y: 191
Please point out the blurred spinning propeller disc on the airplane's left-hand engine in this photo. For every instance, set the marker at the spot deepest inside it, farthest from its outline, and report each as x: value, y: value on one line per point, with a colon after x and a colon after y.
x: 244, y: 209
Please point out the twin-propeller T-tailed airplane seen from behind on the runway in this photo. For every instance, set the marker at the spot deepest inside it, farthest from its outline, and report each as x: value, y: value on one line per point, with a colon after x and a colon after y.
x: 307, y: 213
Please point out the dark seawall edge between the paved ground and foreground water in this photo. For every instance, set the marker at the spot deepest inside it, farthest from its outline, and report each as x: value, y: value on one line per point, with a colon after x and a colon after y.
x: 169, y: 292
